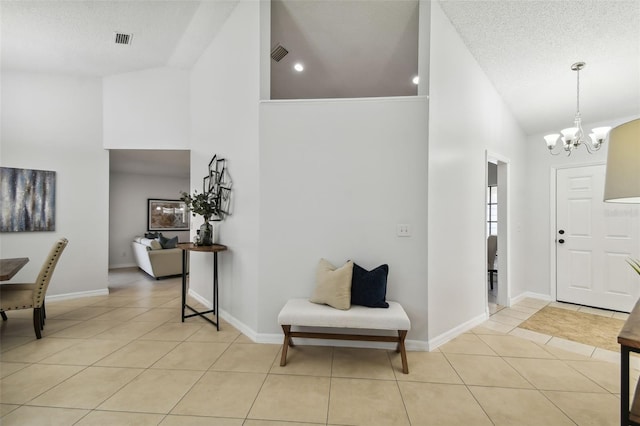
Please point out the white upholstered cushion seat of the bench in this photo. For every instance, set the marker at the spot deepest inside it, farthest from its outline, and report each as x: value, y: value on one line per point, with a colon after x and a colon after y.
x: 301, y: 312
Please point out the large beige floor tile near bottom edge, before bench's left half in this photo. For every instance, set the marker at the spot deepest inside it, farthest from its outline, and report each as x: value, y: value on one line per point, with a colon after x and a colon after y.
x: 292, y: 398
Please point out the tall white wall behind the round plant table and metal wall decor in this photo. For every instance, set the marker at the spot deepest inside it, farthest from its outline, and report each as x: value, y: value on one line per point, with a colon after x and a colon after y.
x: 224, y: 121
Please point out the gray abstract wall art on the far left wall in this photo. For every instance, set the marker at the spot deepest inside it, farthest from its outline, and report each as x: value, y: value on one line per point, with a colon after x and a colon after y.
x: 28, y: 199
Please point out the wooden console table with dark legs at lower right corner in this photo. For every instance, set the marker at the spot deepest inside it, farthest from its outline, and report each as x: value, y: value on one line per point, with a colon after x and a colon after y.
x: 629, y: 340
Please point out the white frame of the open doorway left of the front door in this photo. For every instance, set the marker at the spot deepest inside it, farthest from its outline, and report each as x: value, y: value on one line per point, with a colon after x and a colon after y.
x: 504, y: 226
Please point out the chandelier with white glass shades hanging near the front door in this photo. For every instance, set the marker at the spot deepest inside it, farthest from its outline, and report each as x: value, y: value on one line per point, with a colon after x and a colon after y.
x: 573, y: 137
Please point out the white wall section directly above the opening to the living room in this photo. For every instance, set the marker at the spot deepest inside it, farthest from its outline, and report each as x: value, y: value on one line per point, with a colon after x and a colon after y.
x: 147, y: 109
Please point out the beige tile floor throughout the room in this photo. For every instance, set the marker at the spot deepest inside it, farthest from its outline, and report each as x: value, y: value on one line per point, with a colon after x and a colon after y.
x: 127, y: 359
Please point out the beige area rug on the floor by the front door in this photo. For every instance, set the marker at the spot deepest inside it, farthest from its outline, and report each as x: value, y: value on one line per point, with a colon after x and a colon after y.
x: 590, y: 329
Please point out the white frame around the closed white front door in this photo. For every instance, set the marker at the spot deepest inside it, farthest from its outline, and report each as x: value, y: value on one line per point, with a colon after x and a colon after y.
x: 553, y: 215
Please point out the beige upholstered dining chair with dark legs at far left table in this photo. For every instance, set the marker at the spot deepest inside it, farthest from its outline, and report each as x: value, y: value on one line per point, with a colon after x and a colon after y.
x: 31, y: 295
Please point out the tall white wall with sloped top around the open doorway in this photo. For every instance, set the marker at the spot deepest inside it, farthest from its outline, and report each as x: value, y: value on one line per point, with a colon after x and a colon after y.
x: 467, y: 118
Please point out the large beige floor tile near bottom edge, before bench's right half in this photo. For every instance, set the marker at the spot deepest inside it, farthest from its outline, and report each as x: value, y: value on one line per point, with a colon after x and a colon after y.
x: 366, y: 402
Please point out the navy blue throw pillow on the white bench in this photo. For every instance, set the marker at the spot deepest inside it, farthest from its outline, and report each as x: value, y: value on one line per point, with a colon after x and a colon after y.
x: 369, y: 288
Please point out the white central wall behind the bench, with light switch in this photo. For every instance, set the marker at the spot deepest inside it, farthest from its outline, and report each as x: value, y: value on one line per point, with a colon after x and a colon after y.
x: 336, y: 177
